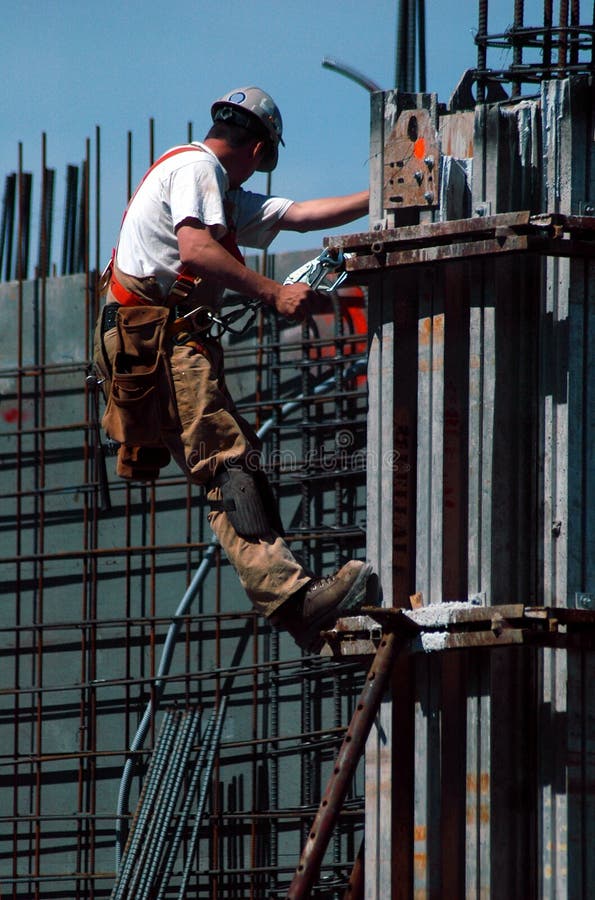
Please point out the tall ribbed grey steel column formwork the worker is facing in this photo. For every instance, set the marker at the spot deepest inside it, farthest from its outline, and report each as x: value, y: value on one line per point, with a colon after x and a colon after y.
x: 488, y: 354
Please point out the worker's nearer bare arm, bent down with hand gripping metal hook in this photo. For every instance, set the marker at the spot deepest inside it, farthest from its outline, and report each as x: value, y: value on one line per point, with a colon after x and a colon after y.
x: 203, y: 255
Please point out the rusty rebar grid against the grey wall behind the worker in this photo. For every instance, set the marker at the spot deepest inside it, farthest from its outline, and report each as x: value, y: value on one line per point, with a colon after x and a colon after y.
x: 92, y: 569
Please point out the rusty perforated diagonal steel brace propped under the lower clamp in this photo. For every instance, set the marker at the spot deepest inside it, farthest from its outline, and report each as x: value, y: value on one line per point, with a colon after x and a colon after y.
x: 345, y: 766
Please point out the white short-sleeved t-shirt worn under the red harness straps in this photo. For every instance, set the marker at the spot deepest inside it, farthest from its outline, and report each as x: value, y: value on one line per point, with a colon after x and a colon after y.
x: 190, y: 184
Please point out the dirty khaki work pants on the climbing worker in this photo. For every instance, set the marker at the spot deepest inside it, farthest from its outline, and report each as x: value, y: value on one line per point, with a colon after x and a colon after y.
x: 212, y: 433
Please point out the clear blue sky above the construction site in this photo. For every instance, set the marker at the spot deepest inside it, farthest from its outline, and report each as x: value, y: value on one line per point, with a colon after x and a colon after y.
x: 71, y: 65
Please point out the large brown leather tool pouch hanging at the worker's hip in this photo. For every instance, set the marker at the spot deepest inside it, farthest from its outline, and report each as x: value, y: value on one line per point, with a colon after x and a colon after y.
x: 141, y: 405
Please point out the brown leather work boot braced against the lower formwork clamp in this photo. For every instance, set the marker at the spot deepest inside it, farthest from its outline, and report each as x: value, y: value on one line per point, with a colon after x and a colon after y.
x: 322, y: 601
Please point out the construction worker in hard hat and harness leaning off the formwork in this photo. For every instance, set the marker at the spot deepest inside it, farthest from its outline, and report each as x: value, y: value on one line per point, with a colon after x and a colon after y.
x: 177, y: 251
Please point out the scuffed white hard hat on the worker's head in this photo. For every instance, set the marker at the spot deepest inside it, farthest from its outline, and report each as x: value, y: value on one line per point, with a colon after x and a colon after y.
x: 242, y: 106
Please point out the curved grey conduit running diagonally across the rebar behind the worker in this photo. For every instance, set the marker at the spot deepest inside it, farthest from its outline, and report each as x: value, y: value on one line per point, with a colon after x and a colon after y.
x: 324, y: 386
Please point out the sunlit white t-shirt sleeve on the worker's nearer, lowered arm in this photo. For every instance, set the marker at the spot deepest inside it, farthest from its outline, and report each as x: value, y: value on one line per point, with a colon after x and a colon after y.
x: 196, y: 192
